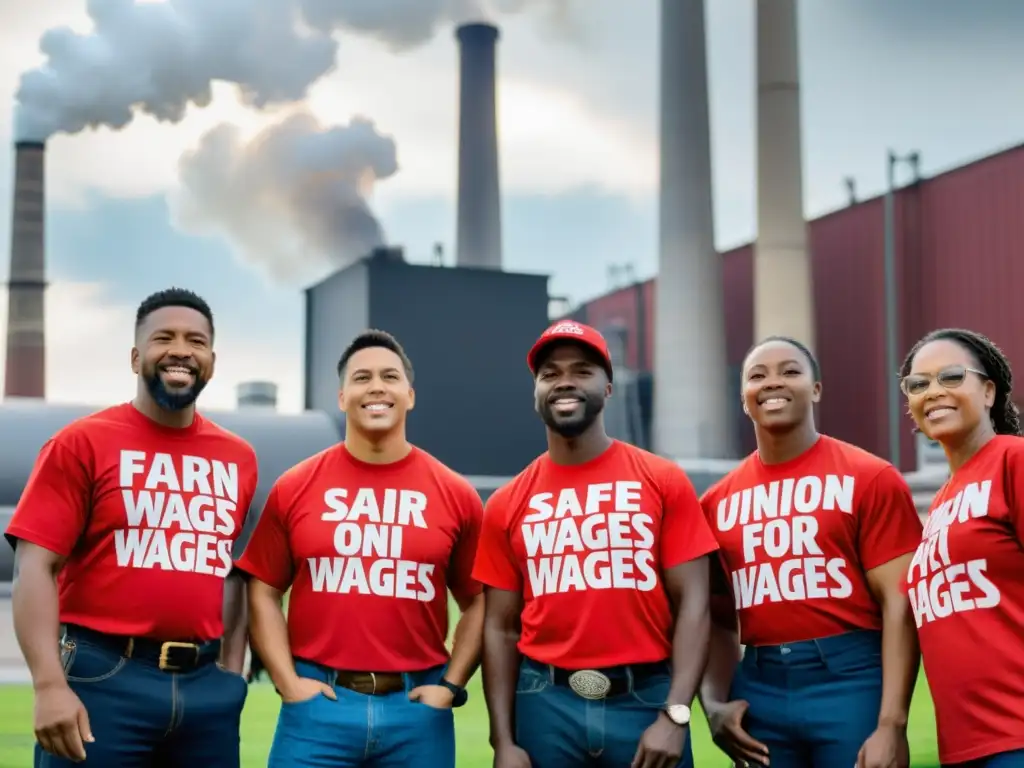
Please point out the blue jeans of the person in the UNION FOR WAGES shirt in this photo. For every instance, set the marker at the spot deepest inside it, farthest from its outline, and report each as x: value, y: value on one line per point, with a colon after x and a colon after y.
x: 816, y: 703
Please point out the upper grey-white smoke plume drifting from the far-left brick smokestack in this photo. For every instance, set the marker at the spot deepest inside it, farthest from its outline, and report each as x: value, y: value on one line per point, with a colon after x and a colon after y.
x: 158, y: 58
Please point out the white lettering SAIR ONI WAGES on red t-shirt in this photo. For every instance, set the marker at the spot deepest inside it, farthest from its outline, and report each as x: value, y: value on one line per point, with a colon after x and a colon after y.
x: 369, y: 535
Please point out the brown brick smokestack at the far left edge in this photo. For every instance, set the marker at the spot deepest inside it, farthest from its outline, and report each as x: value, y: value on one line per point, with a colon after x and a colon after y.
x: 26, y: 369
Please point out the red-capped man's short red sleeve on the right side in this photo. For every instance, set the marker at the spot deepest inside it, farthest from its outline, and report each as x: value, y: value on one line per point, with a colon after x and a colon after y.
x: 686, y: 534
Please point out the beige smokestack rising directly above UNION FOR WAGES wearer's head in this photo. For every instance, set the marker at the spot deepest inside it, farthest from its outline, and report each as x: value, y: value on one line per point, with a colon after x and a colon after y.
x: 784, y: 300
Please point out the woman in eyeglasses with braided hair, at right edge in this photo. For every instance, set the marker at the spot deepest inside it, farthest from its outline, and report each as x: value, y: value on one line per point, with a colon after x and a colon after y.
x: 967, y: 579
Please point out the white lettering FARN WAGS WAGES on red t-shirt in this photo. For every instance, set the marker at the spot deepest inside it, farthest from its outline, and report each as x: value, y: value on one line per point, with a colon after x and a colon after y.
x: 180, y: 513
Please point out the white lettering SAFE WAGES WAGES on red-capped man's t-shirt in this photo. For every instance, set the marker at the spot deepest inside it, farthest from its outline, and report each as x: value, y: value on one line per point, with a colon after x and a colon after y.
x: 603, y: 540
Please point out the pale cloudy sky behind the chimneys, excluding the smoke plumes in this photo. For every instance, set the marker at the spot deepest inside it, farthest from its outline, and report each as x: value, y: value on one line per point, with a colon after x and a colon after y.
x: 579, y: 153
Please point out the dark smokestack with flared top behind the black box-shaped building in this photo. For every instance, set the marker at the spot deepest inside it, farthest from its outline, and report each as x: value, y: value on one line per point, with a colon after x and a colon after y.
x: 480, y: 226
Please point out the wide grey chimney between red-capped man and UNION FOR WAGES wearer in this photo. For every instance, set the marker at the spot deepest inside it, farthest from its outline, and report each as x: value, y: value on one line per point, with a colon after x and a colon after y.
x: 692, y: 388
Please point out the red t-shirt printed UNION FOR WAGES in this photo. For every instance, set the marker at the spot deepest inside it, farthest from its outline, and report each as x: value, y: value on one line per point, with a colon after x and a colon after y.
x: 797, y: 539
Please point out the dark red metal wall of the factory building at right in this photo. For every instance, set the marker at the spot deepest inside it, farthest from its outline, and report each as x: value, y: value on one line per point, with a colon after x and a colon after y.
x: 960, y: 249
